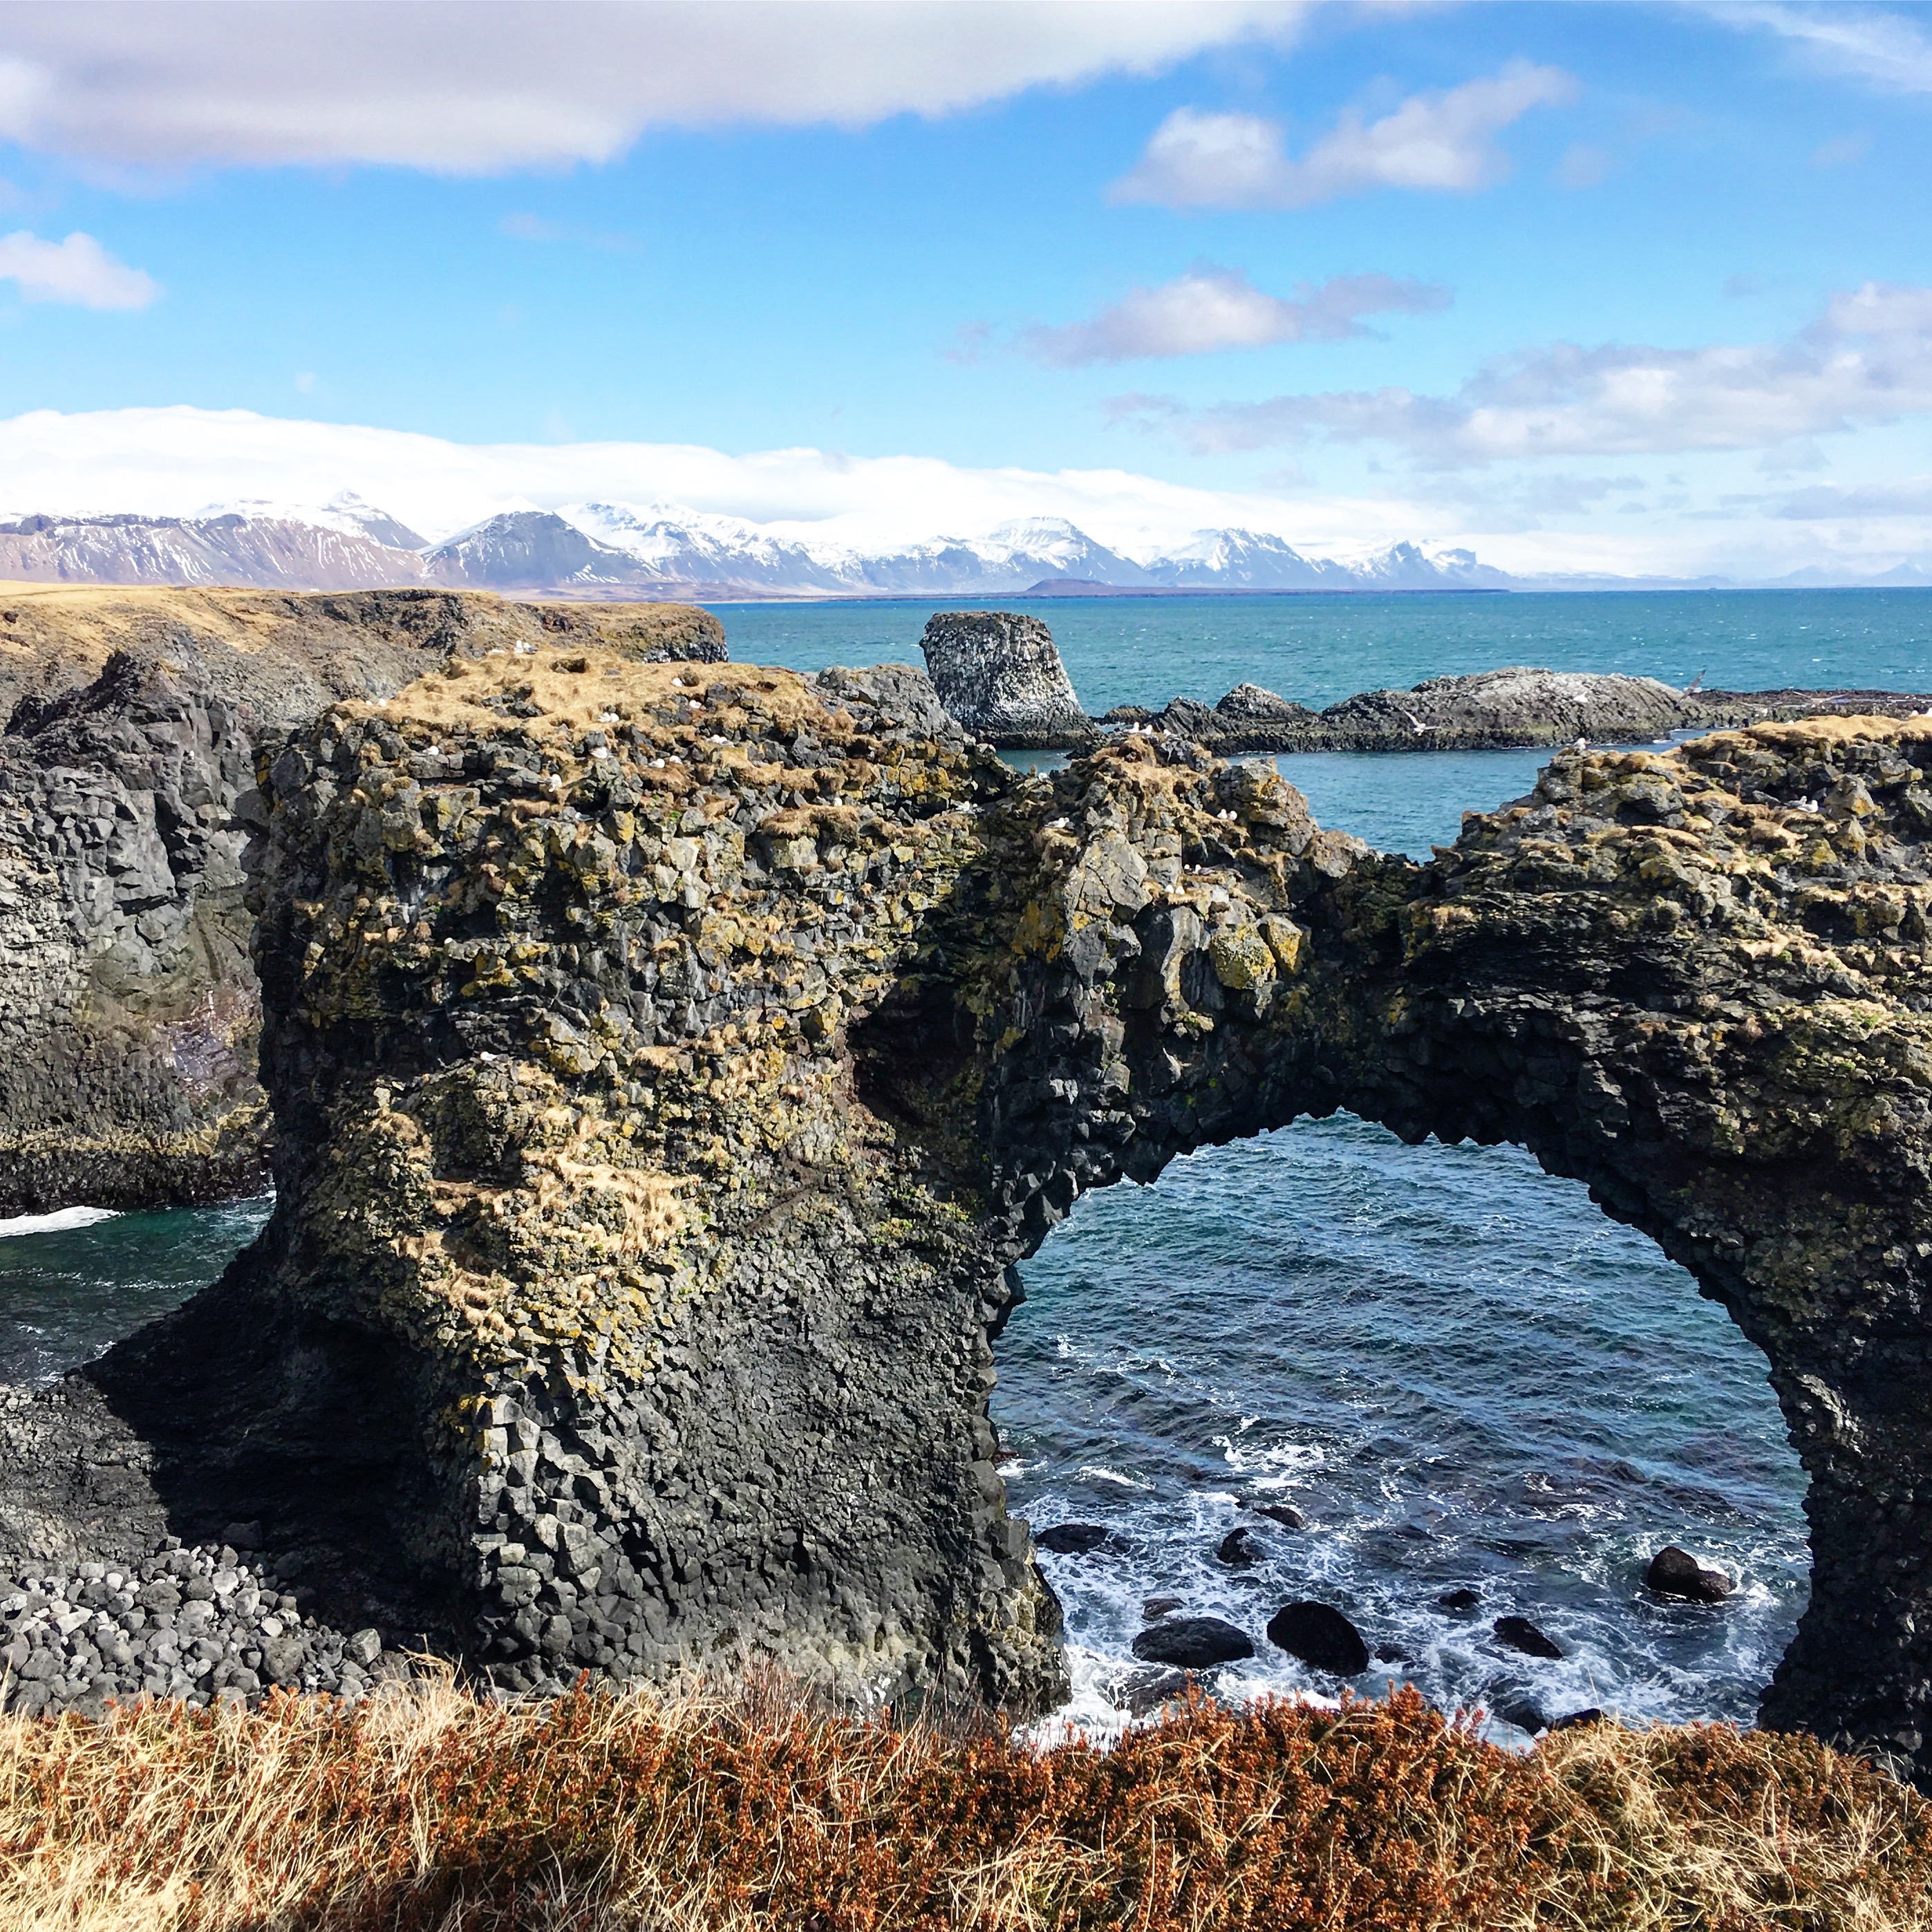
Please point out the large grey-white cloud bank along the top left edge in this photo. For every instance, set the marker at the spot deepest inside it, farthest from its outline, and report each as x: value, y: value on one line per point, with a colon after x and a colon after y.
x: 465, y: 88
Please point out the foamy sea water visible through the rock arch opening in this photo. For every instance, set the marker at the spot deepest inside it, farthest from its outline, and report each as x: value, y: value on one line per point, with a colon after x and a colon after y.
x: 1462, y: 1375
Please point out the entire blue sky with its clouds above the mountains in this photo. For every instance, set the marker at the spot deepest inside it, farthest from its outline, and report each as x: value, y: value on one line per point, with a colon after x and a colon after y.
x: 1583, y: 287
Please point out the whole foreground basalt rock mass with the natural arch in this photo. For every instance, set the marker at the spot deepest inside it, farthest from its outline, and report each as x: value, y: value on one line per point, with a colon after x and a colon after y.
x: 671, y: 1064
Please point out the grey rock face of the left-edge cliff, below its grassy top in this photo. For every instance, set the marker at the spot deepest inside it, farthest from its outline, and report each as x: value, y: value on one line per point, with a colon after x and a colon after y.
x: 127, y: 998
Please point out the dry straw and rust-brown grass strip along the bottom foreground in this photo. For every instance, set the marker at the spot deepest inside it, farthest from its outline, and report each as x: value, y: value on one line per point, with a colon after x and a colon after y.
x: 751, y: 1811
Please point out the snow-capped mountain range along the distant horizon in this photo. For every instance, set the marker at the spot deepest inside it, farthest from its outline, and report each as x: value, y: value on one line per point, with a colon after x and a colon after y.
x: 666, y: 552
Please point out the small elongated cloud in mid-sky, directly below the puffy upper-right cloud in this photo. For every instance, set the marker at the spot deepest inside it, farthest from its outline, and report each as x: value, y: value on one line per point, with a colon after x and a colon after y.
x: 1222, y: 310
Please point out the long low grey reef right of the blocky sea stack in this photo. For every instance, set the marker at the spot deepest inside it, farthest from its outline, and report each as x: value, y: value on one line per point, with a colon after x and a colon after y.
x: 1491, y: 712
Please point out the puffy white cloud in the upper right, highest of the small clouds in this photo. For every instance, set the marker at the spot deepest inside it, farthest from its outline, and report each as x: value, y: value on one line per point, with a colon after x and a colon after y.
x: 1442, y: 142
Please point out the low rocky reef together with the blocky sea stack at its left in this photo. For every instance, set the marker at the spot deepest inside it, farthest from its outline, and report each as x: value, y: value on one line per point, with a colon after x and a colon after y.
x: 1002, y: 677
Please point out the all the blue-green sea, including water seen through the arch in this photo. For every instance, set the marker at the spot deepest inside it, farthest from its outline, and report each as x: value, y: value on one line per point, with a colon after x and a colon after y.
x: 1462, y: 1373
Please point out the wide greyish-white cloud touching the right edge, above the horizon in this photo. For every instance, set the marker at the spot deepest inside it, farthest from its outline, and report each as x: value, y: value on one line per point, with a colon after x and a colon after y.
x: 1867, y: 360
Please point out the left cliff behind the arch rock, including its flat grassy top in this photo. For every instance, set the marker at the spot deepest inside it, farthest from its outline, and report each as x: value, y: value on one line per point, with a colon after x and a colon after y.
x: 128, y: 1004
